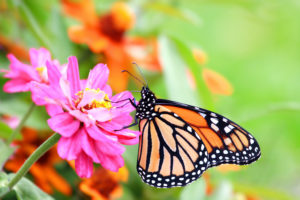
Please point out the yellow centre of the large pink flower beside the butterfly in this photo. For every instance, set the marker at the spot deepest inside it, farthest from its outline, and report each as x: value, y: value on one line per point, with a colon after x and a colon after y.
x: 103, y: 102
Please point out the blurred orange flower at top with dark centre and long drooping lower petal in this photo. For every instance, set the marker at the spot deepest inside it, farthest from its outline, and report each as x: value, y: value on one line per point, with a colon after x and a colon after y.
x: 103, y: 34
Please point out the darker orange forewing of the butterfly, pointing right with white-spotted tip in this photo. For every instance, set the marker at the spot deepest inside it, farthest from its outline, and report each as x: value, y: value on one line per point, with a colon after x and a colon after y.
x: 225, y: 141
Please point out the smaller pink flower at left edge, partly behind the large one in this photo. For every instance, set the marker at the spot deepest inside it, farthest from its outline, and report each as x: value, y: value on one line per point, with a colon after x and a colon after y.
x: 21, y: 74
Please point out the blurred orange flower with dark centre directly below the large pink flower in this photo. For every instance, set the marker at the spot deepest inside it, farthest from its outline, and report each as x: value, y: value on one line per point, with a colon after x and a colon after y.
x: 104, y: 184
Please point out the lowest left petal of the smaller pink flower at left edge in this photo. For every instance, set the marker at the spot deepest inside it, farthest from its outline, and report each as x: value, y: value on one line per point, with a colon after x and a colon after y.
x: 16, y: 85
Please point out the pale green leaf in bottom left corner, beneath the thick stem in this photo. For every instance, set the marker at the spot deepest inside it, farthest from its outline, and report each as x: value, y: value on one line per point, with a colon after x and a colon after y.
x: 26, y: 190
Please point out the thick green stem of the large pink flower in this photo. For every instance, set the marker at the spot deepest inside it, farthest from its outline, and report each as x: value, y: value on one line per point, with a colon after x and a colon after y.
x: 39, y: 152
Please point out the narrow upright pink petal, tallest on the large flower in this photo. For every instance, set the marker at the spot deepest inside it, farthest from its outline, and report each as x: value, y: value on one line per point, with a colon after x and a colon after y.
x: 73, y: 75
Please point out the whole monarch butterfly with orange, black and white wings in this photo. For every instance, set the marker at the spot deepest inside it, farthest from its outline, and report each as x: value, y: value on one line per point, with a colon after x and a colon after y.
x: 179, y: 141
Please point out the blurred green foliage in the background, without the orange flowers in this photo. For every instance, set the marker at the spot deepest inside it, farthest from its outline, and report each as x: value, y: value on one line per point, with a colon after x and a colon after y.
x: 254, y: 44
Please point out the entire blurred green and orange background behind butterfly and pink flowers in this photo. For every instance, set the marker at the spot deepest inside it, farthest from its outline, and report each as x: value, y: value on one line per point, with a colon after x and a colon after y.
x: 240, y: 58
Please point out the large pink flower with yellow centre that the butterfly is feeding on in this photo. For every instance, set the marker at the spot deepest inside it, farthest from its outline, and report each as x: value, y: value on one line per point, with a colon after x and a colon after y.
x: 86, y: 115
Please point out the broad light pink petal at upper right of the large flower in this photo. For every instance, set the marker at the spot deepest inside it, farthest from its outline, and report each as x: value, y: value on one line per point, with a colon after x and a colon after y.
x: 98, y: 77
